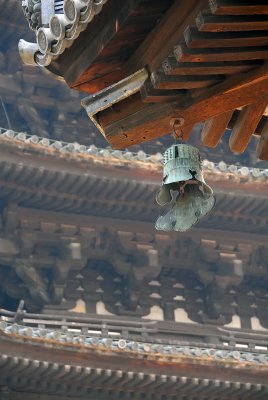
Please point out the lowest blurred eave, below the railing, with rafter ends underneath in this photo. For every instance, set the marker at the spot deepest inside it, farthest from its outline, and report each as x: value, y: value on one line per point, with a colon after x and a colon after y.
x: 44, y: 366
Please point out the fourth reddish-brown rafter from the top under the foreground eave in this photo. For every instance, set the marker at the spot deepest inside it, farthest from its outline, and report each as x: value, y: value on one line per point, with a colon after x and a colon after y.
x: 185, y: 54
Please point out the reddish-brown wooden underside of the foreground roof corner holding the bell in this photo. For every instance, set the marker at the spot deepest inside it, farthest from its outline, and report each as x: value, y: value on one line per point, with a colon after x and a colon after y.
x: 205, y: 60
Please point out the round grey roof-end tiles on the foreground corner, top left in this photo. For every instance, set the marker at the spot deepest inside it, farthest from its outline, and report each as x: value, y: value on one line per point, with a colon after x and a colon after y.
x: 56, y: 25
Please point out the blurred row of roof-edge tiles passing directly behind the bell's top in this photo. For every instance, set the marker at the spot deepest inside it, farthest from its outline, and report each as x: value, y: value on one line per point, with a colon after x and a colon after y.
x: 141, y: 160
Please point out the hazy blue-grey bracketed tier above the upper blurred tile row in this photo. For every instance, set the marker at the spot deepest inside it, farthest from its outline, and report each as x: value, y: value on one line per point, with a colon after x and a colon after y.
x: 38, y: 104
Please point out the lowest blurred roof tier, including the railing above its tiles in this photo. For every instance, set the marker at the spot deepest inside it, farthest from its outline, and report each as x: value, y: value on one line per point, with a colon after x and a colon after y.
x: 116, y: 364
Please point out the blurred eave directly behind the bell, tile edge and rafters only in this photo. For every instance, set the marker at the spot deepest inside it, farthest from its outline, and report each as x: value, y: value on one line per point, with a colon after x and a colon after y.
x: 79, y: 183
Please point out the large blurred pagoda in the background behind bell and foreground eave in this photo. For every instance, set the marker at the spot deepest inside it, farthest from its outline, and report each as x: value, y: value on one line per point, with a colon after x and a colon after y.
x: 94, y: 302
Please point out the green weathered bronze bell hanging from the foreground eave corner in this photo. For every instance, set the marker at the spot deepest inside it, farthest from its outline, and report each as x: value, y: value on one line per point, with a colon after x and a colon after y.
x: 185, y: 188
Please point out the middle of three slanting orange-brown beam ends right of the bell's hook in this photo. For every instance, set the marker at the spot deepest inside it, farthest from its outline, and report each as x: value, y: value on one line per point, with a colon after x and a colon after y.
x: 246, y: 125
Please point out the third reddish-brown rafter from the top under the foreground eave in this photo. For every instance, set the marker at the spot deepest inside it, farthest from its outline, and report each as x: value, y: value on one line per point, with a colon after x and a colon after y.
x: 209, y: 40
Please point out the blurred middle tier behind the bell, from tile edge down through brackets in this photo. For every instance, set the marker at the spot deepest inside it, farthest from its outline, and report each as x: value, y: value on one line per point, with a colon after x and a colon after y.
x: 67, y: 207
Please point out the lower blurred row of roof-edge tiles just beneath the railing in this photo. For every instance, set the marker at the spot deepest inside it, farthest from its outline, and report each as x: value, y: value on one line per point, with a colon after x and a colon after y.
x: 173, y: 351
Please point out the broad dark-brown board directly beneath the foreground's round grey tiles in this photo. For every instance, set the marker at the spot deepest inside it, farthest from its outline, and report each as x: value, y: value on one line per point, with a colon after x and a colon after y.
x: 96, y: 59
